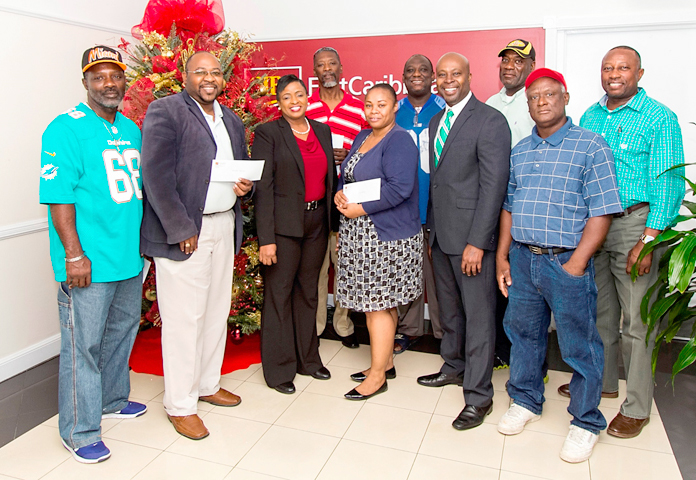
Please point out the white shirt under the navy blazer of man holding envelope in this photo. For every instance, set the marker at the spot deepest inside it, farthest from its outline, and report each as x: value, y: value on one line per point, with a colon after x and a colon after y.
x: 220, y: 196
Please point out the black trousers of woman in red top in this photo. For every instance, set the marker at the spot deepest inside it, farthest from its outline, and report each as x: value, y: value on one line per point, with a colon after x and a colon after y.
x: 289, y: 342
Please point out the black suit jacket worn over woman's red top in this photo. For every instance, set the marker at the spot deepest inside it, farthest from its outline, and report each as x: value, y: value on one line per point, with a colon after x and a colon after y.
x: 279, y: 198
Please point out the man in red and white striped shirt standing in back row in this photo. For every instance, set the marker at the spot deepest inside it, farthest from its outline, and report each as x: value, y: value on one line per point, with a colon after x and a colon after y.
x: 344, y: 114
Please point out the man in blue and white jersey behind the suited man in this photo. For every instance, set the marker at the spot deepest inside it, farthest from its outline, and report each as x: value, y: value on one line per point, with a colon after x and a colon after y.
x: 414, y: 114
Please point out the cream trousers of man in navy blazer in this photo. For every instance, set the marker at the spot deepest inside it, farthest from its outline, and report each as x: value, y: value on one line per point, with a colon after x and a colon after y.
x: 194, y: 300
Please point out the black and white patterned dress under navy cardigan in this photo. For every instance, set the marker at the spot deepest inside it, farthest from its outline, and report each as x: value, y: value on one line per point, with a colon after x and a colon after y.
x: 372, y: 274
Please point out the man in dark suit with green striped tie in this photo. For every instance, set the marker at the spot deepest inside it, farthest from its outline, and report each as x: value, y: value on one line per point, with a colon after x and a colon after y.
x: 469, y: 165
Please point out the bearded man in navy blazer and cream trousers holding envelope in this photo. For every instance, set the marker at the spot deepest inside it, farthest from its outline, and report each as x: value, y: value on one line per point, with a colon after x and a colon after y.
x: 189, y: 224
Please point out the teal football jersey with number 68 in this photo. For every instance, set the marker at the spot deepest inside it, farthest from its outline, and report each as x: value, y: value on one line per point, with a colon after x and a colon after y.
x: 88, y: 162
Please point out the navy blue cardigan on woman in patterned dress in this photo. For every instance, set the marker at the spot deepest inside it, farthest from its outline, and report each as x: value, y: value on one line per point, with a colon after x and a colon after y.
x: 395, y: 160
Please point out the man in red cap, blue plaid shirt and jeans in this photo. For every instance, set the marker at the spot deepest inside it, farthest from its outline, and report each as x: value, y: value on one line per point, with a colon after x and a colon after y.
x: 561, y: 196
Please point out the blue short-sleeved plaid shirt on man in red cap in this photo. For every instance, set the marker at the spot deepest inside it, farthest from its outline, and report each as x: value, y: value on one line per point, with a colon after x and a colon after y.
x: 557, y: 183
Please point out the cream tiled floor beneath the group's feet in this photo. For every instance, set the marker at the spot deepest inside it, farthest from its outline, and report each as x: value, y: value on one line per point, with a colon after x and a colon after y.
x: 405, y: 433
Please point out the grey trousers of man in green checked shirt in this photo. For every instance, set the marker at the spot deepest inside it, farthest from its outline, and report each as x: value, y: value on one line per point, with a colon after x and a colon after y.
x: 617, y: 294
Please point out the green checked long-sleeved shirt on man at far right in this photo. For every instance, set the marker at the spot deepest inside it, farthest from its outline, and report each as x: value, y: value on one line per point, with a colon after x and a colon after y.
x: 646, y: 140
